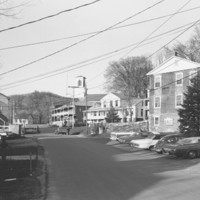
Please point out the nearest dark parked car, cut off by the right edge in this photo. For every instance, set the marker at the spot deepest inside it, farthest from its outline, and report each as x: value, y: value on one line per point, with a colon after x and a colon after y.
x: 186, y: 148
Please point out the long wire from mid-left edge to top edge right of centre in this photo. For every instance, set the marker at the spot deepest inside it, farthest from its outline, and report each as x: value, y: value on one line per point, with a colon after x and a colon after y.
x: 83, y: 40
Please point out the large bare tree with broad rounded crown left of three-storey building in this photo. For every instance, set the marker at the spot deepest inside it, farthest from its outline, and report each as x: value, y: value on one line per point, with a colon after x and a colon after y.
x: 128, y: 77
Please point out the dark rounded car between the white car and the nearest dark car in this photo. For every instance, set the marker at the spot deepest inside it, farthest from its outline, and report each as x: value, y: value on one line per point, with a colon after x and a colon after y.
x: 168, y: 139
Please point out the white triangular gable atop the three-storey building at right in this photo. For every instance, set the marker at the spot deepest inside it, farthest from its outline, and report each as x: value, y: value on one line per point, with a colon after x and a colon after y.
x: 174, y: 64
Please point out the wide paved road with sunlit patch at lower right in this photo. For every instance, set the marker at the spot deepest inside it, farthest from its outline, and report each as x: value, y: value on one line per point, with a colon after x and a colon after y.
x: 89, y: 169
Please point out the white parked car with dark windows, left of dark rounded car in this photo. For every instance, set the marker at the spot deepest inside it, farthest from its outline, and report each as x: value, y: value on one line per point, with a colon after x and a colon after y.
x: 147, y: 143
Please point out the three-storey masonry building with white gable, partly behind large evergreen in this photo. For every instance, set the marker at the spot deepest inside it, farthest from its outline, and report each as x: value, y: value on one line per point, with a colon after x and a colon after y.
x: 168, y: 82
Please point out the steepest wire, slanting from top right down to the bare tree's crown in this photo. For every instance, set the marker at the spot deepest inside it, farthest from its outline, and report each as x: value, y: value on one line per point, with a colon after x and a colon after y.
x: 159, y: 27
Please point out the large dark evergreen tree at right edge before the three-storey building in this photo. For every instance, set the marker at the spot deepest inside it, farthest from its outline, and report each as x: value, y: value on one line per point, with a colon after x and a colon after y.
x: 190, y: 112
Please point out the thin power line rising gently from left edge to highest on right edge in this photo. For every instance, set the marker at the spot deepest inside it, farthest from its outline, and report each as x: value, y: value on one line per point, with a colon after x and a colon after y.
x: 90, y: 33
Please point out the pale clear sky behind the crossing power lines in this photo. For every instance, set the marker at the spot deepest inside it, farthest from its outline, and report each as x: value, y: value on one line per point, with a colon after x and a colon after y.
x: 24, y: 63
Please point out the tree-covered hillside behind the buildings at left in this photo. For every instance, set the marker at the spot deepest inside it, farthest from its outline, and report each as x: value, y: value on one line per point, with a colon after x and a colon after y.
x: 37, y: 105
